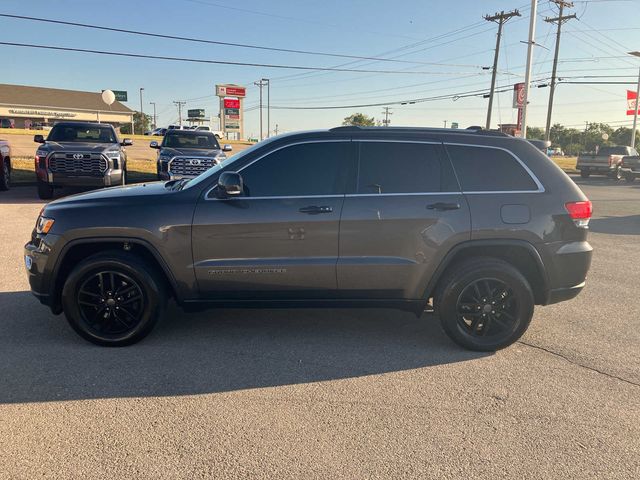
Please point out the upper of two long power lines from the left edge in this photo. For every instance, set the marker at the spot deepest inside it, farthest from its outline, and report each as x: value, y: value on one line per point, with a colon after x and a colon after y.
x: 215, y: 42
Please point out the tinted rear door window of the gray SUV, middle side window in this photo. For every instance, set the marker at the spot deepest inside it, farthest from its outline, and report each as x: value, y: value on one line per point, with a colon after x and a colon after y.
x: 403, y: 168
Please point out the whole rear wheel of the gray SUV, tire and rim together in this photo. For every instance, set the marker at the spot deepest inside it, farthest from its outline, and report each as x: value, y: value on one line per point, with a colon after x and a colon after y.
x: 470, y: 288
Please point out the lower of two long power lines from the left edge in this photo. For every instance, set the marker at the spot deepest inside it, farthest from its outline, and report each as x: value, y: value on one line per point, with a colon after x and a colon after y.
x: 217, y: 62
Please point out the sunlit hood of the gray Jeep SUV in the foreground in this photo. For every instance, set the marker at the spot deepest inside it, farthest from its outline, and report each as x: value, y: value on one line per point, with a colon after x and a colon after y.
x: 130, y: 193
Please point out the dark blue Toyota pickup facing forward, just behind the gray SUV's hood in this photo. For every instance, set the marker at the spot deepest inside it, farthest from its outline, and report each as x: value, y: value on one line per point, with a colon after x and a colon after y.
x: 187, y: 153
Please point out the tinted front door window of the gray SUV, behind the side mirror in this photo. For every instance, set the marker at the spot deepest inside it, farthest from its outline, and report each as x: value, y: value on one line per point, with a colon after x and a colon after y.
x: 299, y: 170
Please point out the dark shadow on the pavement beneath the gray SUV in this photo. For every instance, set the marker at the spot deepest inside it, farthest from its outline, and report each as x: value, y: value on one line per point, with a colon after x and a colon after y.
x: 215, y: 351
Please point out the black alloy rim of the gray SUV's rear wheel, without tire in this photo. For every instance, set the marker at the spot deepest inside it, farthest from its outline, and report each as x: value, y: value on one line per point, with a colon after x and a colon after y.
x: 487, y: 308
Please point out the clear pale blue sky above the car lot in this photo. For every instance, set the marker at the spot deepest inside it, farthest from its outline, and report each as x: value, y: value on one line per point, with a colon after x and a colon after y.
x: 448, y: 41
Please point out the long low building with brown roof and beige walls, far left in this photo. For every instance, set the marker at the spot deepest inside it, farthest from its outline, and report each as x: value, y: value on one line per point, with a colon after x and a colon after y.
x: 33, y: 107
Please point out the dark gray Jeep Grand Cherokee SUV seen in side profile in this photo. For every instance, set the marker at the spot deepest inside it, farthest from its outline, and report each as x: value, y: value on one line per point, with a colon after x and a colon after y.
x: 477, y: 225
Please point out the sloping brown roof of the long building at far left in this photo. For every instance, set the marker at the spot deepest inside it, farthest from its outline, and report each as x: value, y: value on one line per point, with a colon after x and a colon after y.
x: 20, y: 95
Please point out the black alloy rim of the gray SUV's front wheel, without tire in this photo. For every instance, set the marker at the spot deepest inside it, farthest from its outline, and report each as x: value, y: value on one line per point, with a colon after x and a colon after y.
x: 110, y: 303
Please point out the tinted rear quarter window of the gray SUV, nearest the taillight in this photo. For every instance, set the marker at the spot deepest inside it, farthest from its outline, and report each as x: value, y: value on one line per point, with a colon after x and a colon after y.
x: 489, y: 169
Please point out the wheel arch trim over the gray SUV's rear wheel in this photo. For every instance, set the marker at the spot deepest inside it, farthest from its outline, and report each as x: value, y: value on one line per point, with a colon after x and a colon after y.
x: 519, y: 253
